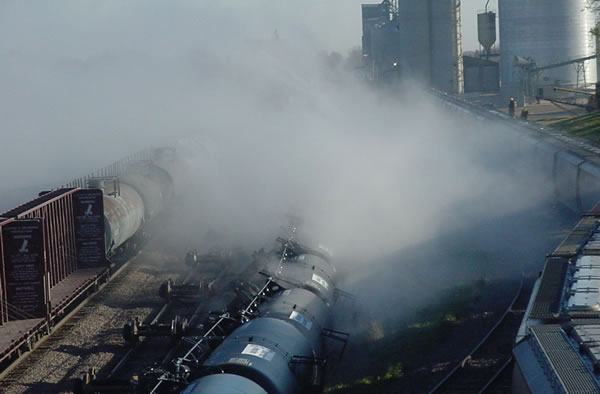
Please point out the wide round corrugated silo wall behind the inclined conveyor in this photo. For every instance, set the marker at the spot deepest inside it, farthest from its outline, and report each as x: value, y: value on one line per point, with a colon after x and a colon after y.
x: 549, y: 31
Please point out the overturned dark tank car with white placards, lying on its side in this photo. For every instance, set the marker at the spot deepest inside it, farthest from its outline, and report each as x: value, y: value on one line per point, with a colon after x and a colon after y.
x: 279, y: 341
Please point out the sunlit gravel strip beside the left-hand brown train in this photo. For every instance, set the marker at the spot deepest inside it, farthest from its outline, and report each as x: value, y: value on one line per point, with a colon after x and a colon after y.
x: 95, y: 340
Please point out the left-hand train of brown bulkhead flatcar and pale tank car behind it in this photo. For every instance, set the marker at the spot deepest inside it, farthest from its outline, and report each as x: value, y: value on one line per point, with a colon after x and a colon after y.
x: 68, y: 235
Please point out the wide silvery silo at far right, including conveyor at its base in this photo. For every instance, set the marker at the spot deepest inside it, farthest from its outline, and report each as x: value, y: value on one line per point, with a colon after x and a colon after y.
x: 545, y: 43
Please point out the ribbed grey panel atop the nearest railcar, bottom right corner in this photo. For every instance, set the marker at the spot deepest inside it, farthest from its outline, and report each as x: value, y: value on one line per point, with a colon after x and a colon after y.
x: 570, y: 369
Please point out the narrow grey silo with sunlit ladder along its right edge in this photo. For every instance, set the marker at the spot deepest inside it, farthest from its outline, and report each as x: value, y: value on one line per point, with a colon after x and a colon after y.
x: 446, y: 45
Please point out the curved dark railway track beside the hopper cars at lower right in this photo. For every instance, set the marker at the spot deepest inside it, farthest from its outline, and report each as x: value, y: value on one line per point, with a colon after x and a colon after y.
x: 486, y: 369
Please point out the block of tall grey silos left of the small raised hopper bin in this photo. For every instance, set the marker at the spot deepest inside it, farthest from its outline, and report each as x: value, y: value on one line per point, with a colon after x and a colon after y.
x: 418, y: 39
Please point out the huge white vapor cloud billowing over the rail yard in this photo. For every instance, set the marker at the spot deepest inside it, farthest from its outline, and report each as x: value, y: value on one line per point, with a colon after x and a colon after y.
x: 269, y: 123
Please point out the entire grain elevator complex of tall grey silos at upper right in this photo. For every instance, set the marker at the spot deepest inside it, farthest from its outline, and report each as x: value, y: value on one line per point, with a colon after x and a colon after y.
x: 543, y: 44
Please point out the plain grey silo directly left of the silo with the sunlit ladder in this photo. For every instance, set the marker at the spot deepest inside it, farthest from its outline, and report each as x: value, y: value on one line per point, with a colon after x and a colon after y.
x: 415, y: 45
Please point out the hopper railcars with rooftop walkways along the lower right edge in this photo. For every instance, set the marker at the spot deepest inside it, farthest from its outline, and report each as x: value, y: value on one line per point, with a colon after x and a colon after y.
x: 556, y: 346
